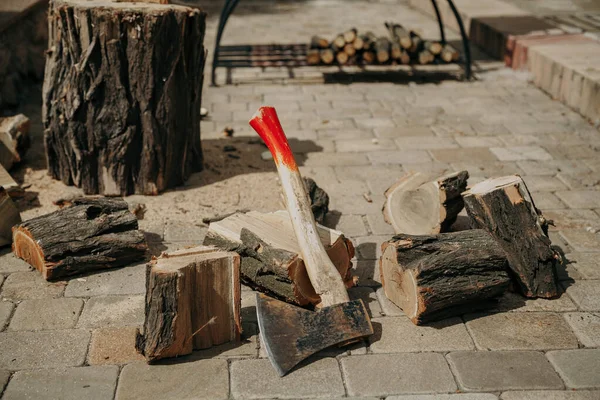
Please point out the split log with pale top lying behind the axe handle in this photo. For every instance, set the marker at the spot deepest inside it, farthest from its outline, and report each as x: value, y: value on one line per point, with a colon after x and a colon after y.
x: 271, y: 260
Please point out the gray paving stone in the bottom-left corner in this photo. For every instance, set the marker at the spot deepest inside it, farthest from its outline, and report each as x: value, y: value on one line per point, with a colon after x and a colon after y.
x: 93, y: 383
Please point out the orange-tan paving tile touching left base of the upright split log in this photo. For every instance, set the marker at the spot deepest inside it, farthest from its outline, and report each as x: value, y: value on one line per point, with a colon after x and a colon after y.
x: 113, y: 346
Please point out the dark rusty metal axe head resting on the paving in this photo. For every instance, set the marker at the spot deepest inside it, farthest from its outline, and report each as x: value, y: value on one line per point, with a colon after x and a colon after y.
x: 290, y: 334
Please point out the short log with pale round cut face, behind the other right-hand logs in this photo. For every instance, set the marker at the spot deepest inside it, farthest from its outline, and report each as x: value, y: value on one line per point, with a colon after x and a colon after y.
x: 420, y: 205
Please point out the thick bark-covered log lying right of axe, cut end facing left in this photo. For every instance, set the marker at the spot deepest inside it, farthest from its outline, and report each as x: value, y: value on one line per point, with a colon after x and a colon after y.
x: 440, y: 276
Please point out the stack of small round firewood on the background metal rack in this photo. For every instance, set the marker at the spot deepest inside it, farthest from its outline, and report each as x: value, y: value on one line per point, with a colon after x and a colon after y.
x: 401, y: 46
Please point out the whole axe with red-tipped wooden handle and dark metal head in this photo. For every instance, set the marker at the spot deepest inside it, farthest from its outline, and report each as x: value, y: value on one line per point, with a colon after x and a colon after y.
x: 291, y: 334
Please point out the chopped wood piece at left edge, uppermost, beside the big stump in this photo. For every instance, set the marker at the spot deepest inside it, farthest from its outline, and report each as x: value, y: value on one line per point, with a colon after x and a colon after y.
x: 14, y: 139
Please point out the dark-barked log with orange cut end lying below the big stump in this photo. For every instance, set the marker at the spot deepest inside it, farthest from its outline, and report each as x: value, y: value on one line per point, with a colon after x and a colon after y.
x: 92, y: 234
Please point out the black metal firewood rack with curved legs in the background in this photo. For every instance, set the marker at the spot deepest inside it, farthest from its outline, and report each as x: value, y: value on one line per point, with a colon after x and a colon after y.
x: 294, y: 55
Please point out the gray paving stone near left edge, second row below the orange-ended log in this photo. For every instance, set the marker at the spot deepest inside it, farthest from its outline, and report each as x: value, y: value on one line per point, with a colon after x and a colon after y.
x: 46, y: 314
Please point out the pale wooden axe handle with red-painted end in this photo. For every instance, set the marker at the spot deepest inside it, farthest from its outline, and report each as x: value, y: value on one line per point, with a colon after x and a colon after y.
x: 323, y: 275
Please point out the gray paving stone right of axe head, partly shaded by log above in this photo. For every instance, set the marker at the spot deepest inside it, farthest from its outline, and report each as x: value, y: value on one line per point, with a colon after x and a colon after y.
x: 399, y: 334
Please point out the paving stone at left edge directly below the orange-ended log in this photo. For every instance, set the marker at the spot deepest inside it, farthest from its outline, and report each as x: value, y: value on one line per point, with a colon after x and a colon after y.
x: 30, y: 285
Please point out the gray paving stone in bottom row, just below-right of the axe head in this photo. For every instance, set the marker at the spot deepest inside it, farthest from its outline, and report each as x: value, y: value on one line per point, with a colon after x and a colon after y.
x: 388, y: 374
